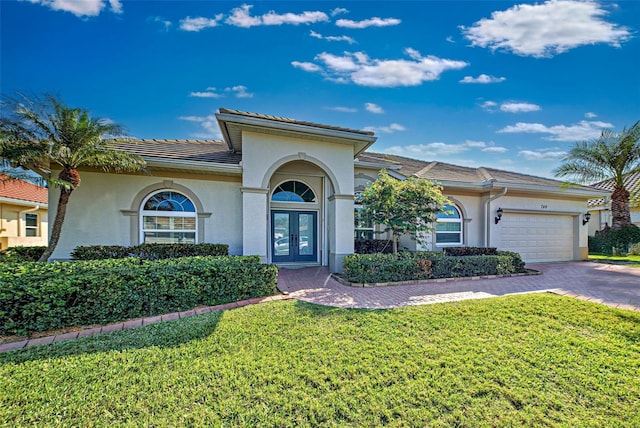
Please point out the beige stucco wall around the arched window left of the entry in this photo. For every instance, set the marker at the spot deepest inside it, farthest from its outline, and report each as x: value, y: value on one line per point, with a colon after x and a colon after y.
x: 100, y: 211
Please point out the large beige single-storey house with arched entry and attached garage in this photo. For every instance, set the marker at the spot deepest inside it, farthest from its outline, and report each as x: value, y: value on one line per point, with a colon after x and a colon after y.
x: 284, y: 190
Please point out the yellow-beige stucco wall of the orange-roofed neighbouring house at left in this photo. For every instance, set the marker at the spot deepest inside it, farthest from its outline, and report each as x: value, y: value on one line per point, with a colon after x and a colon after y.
x: 12, y: 225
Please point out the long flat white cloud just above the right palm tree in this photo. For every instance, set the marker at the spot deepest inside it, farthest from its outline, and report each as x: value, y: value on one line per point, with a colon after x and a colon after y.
x: 584, y: 130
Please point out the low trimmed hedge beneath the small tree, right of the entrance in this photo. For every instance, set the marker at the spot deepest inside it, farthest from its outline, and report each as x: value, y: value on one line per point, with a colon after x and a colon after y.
x: 371, y: 268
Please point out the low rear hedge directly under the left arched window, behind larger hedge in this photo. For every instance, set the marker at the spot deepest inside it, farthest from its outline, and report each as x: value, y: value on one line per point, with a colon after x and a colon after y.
x: 148, y: 251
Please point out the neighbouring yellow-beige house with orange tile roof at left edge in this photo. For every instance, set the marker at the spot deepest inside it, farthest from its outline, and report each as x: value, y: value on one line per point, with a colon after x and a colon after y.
x: 23, y: 213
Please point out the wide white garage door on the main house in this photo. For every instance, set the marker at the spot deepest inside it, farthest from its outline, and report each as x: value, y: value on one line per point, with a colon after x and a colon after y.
x: 538, y: 237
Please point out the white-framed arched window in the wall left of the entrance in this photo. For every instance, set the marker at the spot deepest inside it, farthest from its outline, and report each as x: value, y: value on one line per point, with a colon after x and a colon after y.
x: 168, y: 217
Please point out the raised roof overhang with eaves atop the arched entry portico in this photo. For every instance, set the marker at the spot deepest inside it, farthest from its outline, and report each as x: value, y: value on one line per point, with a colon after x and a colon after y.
x: 233, y: 125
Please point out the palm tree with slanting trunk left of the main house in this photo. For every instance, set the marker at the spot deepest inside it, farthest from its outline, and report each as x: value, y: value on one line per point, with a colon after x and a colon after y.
x: 44, y: 134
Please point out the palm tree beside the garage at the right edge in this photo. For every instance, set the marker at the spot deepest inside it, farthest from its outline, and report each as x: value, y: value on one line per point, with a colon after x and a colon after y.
x: 611, y: 156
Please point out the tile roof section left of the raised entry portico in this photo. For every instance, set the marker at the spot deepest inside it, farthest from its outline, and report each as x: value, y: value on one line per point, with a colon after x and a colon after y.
x: 215, y: 151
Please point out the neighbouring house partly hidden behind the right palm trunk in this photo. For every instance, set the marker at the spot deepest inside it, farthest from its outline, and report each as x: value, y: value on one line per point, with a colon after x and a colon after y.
x: 600, y: 208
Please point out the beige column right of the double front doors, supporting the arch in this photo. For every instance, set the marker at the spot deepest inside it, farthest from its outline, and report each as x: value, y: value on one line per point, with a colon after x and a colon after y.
x: 340, y: 230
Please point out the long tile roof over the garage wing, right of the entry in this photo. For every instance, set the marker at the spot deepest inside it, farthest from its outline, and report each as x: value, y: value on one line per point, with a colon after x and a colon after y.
x: 444, y: 172
